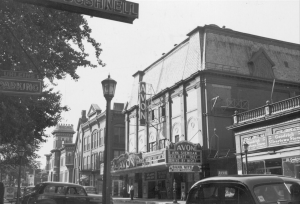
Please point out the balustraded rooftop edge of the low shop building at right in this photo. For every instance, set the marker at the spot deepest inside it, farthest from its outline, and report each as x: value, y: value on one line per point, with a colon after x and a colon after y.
x: 270, y: 110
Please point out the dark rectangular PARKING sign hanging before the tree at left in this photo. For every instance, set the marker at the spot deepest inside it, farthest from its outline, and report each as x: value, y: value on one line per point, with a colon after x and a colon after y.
x: 20, y: 83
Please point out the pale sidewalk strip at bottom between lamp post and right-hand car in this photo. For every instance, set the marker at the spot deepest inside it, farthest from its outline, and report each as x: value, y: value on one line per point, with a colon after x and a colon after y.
x: 120, y: 200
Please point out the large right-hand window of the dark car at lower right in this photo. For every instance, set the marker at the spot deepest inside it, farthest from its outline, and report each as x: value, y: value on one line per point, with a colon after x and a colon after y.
x: 270, y: 193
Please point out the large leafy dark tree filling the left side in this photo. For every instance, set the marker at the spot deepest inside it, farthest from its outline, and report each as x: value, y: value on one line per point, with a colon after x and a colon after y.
x: 51, y: 43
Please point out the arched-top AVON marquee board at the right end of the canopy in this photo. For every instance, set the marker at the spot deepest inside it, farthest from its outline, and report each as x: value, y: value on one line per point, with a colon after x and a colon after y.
x: 185, y: 152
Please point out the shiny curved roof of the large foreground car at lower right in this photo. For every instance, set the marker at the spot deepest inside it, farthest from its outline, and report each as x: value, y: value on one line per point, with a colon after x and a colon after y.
x: 249, y: 180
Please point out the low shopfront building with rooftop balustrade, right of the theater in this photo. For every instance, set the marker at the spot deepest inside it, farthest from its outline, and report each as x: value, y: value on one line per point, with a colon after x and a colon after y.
x: 272, y: 132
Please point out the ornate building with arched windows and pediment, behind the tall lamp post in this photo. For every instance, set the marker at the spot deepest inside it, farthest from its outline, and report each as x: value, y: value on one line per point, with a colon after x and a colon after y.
x: 89, y: 145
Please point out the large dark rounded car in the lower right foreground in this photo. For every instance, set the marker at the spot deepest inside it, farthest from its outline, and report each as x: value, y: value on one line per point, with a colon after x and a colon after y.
x: 245, y: 189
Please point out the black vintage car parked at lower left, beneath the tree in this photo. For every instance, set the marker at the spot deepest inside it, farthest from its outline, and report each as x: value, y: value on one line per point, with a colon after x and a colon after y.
x: 56, y: 193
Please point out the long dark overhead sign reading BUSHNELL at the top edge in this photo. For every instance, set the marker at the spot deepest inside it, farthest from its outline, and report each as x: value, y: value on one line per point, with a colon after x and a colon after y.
x: 117, y: 10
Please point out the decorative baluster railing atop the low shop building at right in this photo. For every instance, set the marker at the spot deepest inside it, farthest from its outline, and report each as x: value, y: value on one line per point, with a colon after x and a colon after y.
x: 267, y: 110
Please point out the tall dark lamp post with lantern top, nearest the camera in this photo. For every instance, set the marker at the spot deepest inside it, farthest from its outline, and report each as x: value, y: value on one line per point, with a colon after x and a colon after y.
x: 109, y: 87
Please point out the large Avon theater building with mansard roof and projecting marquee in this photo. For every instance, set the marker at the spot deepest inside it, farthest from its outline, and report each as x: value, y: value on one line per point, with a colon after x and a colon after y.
x: 181, y: 105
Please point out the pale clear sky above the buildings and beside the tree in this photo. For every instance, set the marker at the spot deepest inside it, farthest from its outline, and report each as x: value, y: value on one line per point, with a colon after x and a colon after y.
x: 128, y: 48
